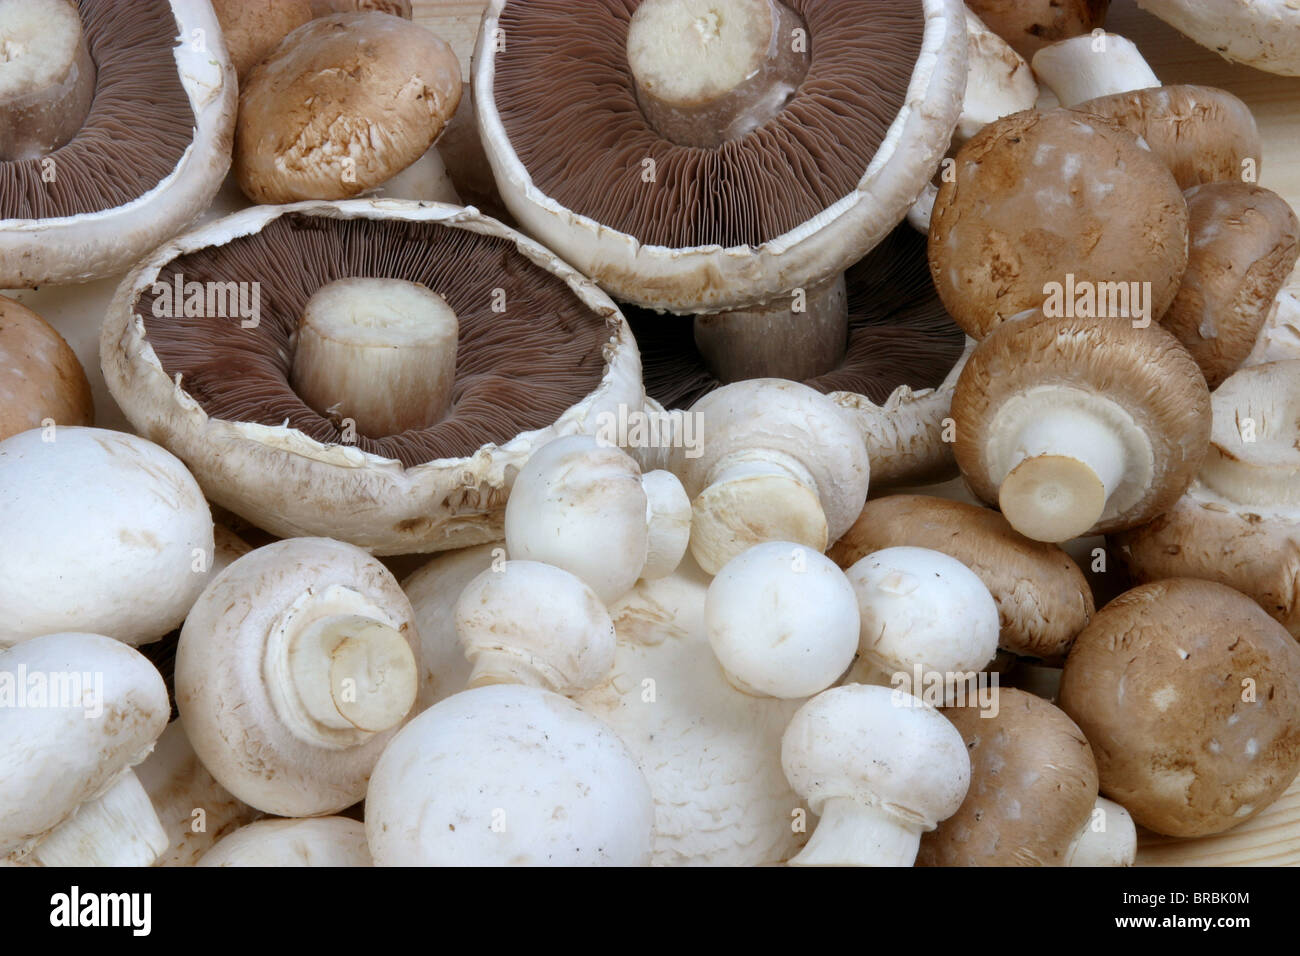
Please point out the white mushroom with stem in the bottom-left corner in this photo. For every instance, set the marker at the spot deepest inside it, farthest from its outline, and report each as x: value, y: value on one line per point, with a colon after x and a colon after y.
x: 83, y: 711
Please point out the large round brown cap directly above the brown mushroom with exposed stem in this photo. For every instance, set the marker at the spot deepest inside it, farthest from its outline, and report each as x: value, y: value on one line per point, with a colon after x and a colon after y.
x: 1042, y: 196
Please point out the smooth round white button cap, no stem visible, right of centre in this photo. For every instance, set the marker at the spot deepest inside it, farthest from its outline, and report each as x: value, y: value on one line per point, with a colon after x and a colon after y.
x: 782, y: 620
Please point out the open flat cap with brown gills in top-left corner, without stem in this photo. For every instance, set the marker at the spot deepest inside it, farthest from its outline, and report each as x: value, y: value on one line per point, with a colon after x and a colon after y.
x: 101, y: 202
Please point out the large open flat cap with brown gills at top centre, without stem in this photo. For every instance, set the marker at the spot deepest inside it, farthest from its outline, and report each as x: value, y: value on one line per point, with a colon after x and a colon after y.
x: 746, y: 223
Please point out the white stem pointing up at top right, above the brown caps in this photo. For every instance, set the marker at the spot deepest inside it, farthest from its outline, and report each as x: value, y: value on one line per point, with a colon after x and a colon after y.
x: 1085, y: 68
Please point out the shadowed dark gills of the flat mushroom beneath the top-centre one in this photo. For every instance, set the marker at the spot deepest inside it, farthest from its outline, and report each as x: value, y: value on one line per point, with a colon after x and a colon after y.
x: 899, y: 334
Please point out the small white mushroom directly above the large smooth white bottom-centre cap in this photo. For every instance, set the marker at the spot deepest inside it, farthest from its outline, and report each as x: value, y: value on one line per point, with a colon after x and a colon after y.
x: 532, y: 624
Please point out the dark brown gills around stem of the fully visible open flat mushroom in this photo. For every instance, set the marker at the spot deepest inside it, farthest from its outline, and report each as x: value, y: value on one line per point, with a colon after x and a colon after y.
x: 528, y: 348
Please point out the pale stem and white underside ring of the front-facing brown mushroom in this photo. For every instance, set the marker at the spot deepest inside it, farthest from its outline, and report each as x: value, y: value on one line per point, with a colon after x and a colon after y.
x: 1064, y: 456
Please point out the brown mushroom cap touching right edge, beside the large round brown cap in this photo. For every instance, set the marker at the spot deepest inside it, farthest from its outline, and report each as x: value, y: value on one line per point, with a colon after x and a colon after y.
x: 1245, y: 244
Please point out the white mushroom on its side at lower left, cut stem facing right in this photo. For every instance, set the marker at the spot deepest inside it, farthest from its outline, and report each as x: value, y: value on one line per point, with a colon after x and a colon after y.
x: 296, y: 668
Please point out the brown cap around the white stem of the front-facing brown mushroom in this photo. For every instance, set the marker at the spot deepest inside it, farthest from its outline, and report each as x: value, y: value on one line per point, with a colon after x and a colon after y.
x: 1143, y: 371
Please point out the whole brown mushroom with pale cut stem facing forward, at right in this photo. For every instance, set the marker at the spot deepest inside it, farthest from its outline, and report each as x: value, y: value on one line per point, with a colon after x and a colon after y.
x: 1080, y: 426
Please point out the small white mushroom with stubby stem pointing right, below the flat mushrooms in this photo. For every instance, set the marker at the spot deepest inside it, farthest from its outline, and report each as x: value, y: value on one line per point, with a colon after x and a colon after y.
x: 583, y: 505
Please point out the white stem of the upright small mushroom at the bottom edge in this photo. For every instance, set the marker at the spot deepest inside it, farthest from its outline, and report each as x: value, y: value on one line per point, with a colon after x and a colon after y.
x: 851, y: 834
